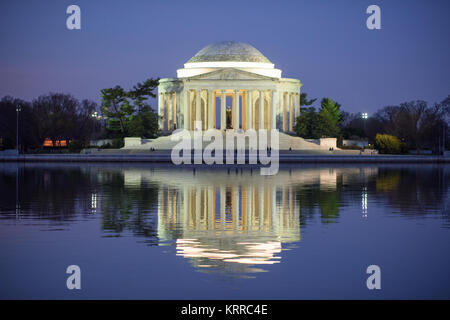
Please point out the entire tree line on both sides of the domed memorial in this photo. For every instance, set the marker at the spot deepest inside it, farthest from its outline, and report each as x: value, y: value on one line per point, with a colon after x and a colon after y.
x: 58, y: 116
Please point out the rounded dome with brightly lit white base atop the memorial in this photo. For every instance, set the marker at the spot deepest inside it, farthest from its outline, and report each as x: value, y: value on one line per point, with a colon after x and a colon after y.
x: 228, y: 54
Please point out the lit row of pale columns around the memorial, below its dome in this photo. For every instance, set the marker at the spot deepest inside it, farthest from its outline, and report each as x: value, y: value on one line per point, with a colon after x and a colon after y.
x: 250, y: 109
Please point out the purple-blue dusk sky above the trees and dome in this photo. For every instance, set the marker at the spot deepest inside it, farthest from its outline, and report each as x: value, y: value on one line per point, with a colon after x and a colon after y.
x: 325, y: 44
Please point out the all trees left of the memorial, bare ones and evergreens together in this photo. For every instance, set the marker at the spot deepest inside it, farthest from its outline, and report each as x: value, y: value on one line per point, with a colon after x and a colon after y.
x: 62, y: 117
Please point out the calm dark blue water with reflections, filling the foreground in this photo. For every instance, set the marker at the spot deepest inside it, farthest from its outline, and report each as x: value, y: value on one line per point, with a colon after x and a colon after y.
x: 166, y: 232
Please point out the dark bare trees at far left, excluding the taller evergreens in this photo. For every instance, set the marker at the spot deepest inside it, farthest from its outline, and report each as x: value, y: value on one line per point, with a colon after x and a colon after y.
x: 55, y: 116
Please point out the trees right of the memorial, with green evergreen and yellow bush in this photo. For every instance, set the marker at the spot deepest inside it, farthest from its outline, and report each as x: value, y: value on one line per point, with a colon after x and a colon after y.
x: 393, y: 129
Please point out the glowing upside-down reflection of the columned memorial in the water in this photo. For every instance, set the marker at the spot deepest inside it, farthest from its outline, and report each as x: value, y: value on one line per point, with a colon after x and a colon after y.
x: 231, y: 225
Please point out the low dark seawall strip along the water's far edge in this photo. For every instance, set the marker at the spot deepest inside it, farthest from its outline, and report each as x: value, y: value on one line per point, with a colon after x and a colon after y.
x: 284, y: 157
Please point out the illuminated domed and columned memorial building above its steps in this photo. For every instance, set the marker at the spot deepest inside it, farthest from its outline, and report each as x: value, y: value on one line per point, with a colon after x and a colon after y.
x: 228, y: 85
